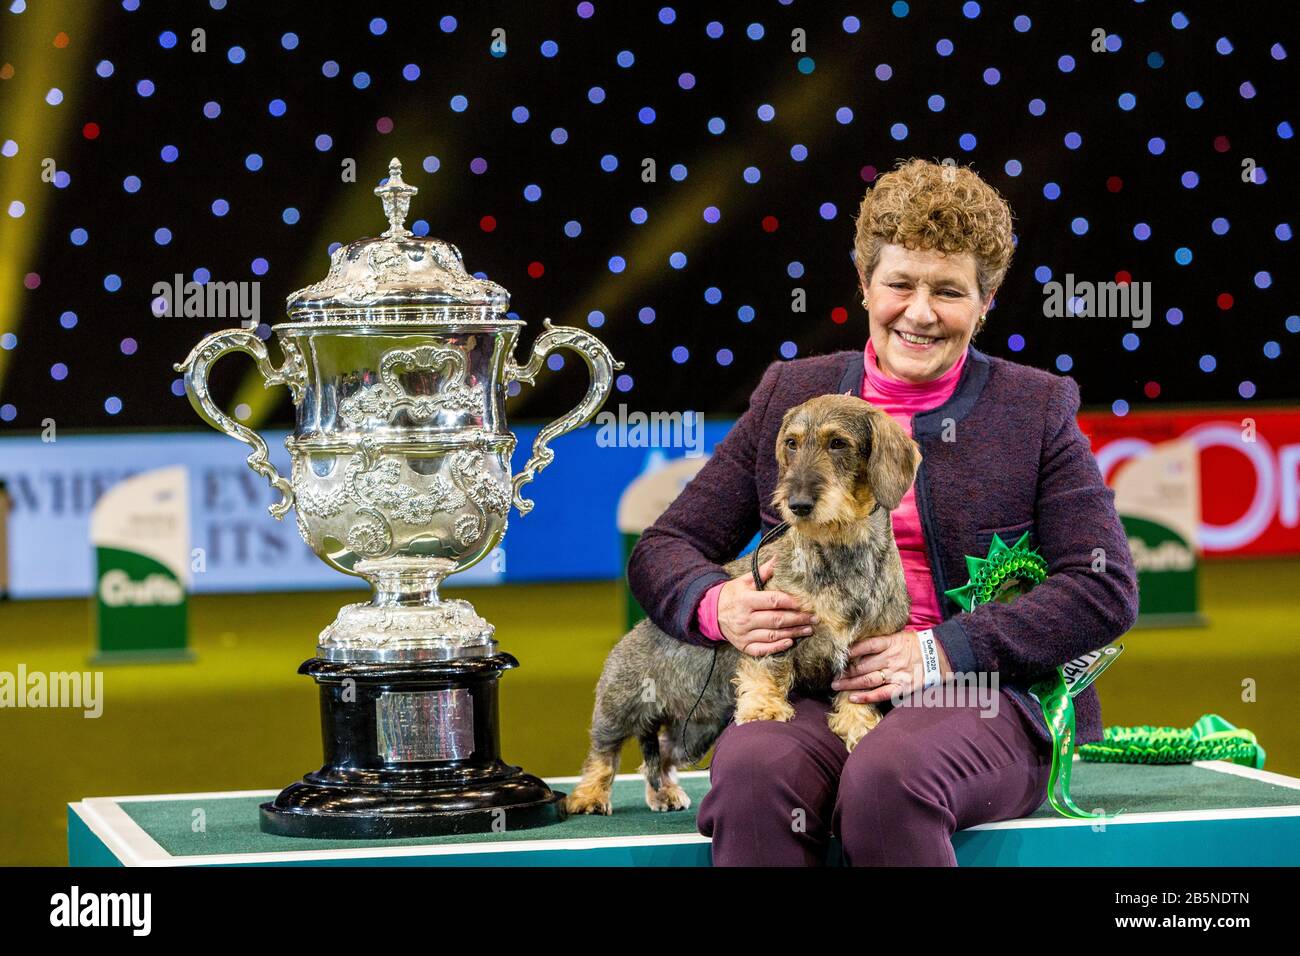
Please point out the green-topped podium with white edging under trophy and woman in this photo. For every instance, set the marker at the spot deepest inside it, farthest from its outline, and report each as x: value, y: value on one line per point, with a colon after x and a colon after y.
x: 1203, y: 815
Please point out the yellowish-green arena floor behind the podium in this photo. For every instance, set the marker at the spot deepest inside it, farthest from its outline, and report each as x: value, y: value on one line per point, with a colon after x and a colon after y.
x: 241, y: 719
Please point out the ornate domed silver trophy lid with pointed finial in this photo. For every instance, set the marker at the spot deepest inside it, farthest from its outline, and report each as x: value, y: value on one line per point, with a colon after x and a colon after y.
x: 397, y: 270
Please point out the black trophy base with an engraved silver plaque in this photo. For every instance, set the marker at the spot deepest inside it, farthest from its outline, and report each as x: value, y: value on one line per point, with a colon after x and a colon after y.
x: 411, y: 750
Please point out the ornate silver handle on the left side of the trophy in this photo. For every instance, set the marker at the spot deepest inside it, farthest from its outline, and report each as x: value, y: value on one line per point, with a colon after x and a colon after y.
x: 292, y: 374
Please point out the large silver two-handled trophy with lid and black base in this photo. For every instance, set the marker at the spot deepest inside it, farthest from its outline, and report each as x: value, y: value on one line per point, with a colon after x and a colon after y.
x: 398, y: 364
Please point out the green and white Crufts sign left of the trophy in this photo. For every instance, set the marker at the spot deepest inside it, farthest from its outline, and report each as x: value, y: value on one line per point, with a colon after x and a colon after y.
x: 141, y: 535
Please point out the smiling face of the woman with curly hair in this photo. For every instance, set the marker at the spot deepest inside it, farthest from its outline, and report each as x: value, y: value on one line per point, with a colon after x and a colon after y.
x: 922, y: 308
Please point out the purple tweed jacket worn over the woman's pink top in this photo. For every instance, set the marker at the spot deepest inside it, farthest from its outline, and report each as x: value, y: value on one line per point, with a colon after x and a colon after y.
x: 1016, y: 461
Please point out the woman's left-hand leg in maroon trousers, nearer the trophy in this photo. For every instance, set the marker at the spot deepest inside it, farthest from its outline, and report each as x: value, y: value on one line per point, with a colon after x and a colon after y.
x: 772, y: 790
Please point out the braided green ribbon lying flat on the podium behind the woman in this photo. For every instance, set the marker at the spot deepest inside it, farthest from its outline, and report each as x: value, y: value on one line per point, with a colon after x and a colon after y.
x: 1211, y: 738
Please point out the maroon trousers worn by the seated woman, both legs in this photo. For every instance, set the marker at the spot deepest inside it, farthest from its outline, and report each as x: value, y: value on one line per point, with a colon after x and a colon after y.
x: 779, y: 790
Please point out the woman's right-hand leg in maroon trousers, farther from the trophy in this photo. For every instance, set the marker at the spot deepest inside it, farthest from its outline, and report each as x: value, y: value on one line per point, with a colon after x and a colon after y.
x: 928, y: 772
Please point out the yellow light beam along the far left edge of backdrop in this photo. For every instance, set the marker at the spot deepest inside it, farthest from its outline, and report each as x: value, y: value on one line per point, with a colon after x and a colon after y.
x: 40, y: 129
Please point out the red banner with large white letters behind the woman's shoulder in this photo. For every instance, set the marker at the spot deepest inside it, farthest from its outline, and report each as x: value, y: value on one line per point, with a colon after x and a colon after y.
x: 1250, y: 464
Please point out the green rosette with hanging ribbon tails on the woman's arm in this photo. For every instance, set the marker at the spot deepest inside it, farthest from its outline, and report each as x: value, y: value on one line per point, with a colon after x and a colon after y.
x: 1004, y: 576
